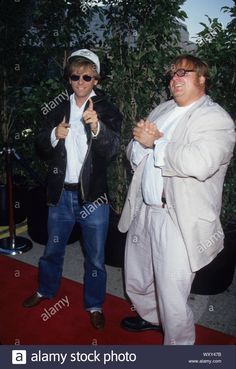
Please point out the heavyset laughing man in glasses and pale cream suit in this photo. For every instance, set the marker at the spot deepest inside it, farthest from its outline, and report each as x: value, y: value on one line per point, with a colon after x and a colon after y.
x: 180, y: 155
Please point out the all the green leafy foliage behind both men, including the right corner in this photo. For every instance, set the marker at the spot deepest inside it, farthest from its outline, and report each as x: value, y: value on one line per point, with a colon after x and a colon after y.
x: 139, y: 38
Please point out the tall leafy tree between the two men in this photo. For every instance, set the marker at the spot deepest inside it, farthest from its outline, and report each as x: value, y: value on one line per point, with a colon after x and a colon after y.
x: 139, y: 40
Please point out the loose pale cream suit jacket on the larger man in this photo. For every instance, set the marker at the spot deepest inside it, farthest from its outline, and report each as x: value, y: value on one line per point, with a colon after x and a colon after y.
x: 196, y: 160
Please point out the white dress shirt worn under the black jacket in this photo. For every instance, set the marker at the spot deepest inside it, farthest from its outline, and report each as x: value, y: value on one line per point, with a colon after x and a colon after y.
x: 76, y: 140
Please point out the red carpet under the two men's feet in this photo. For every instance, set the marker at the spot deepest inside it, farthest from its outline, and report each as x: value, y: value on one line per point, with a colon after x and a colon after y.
x: 63, y: 320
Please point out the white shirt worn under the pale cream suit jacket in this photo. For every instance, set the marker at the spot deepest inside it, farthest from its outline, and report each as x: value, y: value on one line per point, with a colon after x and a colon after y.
x: 152, y: 180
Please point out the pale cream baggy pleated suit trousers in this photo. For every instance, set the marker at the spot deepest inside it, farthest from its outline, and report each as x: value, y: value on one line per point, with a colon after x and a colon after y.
x: 158, y: 276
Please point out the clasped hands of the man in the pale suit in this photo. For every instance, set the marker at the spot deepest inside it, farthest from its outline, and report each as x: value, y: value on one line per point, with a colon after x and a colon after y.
x: 146, y: 133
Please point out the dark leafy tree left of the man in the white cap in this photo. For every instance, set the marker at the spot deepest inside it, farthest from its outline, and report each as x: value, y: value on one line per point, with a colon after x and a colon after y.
x: 36, y: 38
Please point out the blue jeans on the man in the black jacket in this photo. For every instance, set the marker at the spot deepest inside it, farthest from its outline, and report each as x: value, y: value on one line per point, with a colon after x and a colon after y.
x: 93, y: 219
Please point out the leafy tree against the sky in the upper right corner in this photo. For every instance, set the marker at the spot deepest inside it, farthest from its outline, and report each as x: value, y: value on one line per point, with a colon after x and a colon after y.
x: 217, y: 46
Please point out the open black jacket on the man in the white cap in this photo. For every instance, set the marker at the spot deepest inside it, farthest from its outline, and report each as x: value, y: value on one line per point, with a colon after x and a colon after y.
x: 92, y: 181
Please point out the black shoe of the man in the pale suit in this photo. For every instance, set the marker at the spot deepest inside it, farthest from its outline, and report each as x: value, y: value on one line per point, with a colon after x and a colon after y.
x: 137, y: 324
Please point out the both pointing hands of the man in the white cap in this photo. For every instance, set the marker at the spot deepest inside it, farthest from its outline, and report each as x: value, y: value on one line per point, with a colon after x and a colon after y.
x: 89, y: 116
